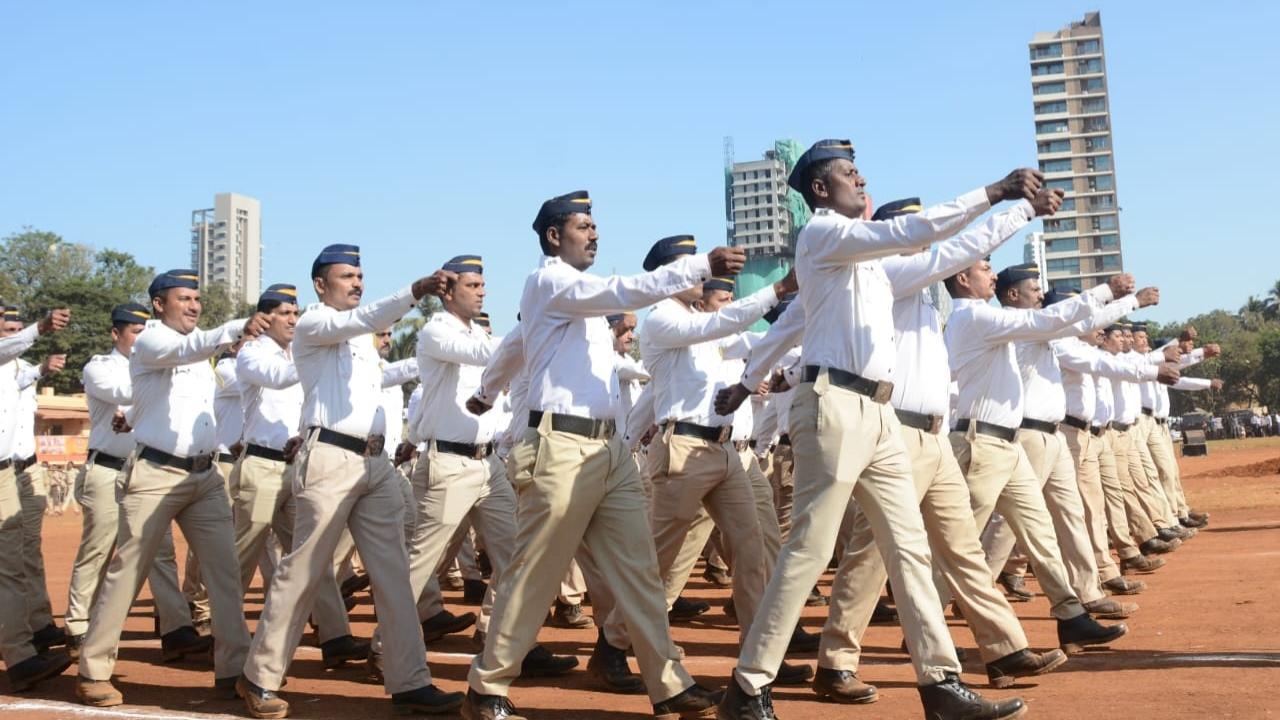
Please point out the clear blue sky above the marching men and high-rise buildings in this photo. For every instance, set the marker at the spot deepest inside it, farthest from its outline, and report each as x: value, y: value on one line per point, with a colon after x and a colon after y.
x: 426, y: 130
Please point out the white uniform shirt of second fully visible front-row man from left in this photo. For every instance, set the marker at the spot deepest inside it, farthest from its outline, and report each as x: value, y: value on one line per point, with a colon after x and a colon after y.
x: 340, y: 368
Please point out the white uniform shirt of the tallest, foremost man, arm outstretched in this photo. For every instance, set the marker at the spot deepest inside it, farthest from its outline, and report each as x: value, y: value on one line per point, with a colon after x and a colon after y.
x: 845, y: 290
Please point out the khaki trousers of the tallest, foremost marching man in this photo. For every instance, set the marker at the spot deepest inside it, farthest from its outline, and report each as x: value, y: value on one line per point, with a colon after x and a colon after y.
x: 845, y: 445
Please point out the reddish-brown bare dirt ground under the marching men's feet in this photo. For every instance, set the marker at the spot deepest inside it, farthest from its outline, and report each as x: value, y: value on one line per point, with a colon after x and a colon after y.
x: 1206, y: 642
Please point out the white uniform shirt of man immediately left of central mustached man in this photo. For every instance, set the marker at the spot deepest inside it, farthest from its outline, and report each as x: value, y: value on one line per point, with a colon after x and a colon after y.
x: 451, y: 359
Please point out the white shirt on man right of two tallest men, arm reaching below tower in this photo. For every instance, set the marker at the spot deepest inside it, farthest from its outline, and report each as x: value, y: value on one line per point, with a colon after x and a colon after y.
x: 981, y: 347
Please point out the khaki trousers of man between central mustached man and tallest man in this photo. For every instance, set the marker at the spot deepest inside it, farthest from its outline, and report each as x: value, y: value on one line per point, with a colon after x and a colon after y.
x: 691, y: 475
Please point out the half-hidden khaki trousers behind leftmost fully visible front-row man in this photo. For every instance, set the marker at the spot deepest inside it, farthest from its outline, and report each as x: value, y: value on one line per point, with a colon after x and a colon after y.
x: 97, y: 493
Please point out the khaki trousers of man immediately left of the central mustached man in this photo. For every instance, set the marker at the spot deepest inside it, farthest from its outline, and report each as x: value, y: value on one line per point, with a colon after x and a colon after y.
x: 454, y: 494
